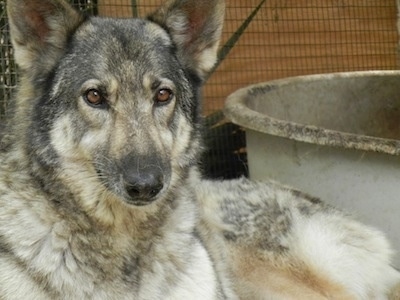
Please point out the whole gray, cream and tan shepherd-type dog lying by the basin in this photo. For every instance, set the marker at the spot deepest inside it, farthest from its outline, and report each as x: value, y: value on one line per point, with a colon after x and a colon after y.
x: 99, y: 191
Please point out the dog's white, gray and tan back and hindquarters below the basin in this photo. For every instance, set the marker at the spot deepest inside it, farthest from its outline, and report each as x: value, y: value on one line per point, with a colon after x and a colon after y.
x: 279, y: 243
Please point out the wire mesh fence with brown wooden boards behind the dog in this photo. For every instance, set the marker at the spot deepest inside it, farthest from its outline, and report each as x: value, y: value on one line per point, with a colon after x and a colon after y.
x: 262, y: 40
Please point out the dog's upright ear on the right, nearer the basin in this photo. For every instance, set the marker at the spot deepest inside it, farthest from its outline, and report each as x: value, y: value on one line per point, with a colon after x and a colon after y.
x: 195, y: 27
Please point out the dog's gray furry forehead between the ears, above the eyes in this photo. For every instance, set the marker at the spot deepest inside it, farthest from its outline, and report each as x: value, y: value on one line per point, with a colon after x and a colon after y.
x: 124, y: 48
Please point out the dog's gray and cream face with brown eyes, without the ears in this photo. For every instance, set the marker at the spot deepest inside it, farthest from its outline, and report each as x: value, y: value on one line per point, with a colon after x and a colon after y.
x: 120, y: 99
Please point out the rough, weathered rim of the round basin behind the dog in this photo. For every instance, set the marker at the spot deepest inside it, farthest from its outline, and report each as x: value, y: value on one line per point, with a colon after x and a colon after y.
x: 237, y: 111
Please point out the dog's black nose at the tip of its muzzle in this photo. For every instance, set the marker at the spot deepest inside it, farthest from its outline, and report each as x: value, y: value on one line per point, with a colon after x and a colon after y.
x: 144, y: 184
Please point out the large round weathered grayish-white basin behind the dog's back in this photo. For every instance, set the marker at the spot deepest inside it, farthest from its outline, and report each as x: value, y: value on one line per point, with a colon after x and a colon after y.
x: 336, y: 136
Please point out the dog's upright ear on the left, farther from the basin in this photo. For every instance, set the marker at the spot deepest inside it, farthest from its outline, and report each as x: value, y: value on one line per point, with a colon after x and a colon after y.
x: 39, y: 31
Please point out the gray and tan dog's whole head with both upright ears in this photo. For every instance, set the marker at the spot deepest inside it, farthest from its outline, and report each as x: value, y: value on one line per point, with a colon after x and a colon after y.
x: 113, y: 103
